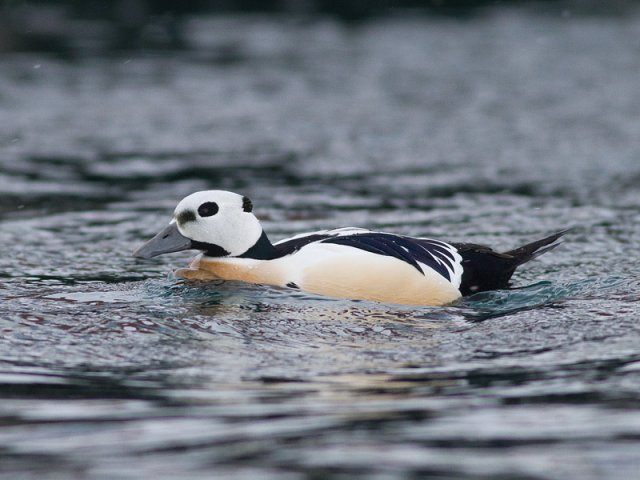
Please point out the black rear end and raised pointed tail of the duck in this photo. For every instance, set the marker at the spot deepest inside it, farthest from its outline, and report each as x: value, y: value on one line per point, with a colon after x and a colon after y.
x: 485, y: 269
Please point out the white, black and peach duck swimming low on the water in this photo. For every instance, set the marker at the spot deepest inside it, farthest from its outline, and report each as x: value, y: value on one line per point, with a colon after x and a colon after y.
x: 346, y: 263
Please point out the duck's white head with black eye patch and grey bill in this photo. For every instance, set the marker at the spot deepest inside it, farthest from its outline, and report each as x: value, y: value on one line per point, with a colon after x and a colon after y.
x: 217, y: 222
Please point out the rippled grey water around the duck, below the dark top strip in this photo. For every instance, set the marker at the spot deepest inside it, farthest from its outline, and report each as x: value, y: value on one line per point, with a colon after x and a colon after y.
x: 497, y: 129
